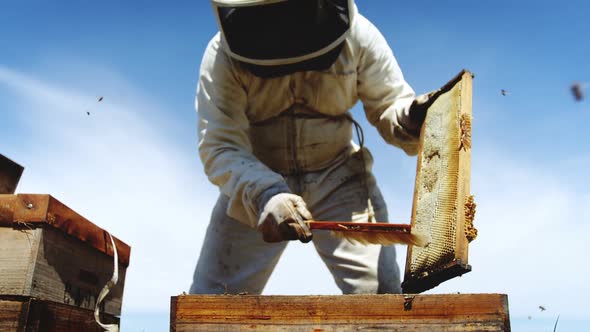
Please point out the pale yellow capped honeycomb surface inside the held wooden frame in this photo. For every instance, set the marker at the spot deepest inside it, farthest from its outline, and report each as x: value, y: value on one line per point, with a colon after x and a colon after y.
x: 436, y: 206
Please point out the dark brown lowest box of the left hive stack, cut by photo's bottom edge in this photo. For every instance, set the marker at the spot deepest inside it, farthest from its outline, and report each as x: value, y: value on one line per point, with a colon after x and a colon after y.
x: 29, y: 314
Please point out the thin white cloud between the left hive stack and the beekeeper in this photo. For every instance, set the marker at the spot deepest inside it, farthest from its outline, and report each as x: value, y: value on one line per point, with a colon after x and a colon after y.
x: 116, y: 169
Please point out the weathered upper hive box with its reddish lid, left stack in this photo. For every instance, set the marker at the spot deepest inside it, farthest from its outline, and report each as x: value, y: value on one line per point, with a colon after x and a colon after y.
x: 51, y: 253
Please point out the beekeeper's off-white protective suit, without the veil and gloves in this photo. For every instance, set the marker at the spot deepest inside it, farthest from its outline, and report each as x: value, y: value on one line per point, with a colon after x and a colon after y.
x: 293, y: 133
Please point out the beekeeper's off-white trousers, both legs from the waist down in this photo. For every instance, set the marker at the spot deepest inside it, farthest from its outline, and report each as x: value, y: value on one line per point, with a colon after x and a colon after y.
x: 235, y: 259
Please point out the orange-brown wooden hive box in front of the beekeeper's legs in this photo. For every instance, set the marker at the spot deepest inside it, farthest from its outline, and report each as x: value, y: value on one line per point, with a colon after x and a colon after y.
x: 451, y: 312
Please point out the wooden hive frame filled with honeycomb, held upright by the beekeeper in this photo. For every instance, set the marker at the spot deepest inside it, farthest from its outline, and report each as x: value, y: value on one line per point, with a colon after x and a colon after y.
x: 443, y: 206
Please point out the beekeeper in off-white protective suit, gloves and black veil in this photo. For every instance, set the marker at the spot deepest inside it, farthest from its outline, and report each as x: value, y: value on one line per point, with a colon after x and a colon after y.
x: 276, y: 136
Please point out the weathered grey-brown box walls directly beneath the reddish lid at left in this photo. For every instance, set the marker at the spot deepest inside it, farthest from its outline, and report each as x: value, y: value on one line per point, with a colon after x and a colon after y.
x: 46, y: 264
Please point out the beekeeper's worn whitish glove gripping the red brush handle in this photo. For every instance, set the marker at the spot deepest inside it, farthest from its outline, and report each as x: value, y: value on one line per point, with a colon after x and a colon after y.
x: 283, y: 218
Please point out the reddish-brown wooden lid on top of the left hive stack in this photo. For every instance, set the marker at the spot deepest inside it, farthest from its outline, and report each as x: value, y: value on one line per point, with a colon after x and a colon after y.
x: 36, y: 210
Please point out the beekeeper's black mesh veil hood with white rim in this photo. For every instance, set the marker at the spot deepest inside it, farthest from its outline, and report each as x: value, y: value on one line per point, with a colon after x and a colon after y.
x: 282, y: 32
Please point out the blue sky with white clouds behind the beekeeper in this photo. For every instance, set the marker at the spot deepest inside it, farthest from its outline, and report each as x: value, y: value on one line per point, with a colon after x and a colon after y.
x: 131, y: 166
